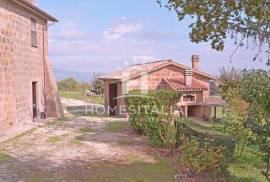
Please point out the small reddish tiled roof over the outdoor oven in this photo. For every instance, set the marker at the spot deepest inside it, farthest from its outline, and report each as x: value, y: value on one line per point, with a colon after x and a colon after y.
x: 179, y: 84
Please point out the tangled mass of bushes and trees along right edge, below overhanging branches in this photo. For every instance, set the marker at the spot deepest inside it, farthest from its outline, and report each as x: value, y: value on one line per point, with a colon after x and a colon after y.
x: 248, y: 112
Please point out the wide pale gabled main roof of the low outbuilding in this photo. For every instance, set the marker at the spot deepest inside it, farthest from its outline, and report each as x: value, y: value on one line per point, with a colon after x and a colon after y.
x: 138, y: 69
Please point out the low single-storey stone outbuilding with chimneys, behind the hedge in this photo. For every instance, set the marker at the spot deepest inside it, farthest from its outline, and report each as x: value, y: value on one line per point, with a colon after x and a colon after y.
x: 167, y: 74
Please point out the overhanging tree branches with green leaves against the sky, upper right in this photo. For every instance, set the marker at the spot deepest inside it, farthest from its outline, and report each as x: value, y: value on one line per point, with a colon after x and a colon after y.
x: 245, y: 21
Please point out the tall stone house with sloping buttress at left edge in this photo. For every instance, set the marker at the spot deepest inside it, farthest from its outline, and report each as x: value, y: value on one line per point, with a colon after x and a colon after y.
x: 28, y: 90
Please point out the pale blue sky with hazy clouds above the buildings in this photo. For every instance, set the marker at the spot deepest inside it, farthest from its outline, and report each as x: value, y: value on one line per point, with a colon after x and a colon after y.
x: 104, y: 35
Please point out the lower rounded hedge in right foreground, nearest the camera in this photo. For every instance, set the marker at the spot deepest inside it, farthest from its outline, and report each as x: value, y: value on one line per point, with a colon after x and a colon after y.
x: 202, y: 151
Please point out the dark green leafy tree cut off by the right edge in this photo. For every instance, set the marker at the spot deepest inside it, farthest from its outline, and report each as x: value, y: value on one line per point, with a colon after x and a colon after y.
x: 256, y: 85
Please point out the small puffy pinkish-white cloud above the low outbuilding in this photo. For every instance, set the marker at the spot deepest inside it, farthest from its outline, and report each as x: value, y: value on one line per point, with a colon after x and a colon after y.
x: 120, y: 30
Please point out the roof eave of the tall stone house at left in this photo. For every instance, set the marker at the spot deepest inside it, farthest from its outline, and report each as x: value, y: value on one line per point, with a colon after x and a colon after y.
x: 35, y: 10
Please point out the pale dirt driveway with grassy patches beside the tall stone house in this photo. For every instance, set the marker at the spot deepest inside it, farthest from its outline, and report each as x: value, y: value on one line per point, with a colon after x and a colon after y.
x: 88, y: 149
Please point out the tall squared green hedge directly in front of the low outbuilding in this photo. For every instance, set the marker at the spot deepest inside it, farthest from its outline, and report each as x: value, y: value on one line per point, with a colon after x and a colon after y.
x: 152, y: 114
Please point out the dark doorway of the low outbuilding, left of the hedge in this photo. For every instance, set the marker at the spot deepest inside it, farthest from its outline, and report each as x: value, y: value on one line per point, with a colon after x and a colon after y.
x: 113, y: 99
